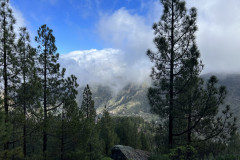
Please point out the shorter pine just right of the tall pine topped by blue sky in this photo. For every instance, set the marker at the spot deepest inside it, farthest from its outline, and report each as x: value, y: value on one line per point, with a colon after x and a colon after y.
x: 69, y: 117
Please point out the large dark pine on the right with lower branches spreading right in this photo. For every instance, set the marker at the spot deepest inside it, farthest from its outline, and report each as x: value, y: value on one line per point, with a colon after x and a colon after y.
x: 178, y: 93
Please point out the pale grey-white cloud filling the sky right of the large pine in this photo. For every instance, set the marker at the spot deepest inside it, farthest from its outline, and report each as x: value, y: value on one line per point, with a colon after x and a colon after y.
x: 218, y: 36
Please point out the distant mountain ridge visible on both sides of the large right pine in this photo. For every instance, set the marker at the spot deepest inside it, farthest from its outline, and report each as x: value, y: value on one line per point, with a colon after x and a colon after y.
x: 132, y: 99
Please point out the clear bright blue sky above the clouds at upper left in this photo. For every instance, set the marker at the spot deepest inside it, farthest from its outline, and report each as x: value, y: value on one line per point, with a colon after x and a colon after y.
x: 75, y: 22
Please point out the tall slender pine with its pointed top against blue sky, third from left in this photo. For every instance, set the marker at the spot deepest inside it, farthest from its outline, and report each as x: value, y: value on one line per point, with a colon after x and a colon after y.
x: 52, y: 79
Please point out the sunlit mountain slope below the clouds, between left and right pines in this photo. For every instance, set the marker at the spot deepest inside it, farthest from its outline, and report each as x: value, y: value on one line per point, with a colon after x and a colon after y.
x: 130, y: 101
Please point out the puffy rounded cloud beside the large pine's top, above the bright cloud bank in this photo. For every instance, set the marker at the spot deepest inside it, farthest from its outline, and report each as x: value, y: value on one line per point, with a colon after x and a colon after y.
x: 127, y: 31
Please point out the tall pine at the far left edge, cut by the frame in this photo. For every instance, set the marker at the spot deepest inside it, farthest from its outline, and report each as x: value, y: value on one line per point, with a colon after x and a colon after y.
x: 7, y: 56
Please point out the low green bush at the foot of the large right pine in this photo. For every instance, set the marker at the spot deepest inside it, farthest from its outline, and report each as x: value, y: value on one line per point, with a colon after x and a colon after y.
x: 183, y: 153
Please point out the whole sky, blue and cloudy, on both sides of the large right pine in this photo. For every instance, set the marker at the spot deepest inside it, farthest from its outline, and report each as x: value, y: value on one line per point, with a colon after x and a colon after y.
x: 105, y: 41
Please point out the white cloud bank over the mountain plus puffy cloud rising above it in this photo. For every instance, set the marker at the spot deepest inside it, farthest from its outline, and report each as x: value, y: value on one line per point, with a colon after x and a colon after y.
x: 125, y: 62
